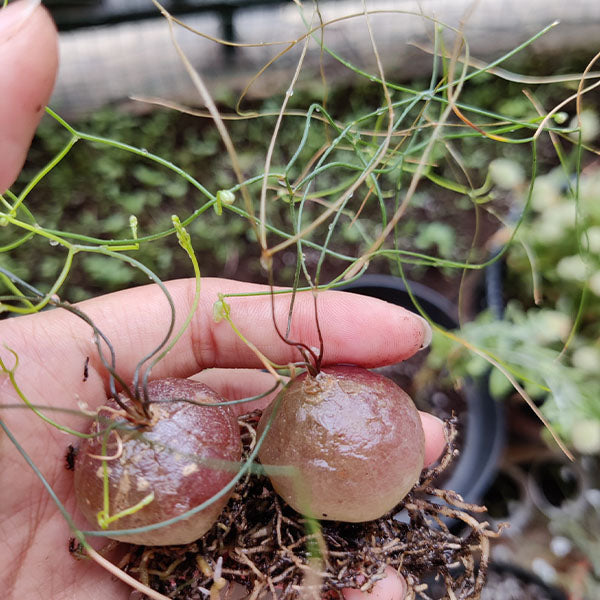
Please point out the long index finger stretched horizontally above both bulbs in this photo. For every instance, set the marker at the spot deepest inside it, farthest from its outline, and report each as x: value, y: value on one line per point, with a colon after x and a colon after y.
x: 355, y: 329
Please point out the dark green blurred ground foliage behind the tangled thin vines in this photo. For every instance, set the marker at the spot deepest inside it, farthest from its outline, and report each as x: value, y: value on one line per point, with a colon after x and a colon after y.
x: 96, y: 188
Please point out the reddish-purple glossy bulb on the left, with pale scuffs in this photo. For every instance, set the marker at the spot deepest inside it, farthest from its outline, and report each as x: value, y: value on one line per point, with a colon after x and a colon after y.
x: 187, y: 456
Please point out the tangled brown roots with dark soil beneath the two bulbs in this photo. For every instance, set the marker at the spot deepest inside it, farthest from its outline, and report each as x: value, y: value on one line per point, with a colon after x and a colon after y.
x: 272, y: 551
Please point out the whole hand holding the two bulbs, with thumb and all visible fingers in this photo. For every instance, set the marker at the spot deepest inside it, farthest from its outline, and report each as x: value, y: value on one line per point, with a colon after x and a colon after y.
x: 54, y: 346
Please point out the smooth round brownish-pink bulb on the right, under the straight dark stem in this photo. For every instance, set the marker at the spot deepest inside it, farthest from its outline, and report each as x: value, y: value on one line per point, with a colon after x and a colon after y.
x: 354, y: 438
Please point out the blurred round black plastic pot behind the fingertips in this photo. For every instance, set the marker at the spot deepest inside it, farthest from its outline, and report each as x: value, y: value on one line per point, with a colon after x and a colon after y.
x: 483, y: 431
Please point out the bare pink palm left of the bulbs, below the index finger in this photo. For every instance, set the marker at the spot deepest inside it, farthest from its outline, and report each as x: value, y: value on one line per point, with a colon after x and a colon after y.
x: 35, y: 548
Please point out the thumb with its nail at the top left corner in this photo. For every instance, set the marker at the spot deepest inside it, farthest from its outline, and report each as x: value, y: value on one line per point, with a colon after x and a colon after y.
x: 28, y: 65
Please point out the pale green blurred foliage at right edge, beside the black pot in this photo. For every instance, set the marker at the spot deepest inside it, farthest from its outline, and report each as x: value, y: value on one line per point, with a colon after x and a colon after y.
x: 549, y: 339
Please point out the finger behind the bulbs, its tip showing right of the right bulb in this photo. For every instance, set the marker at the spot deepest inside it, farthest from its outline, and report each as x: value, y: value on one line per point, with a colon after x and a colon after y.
x: 235, y: 384
